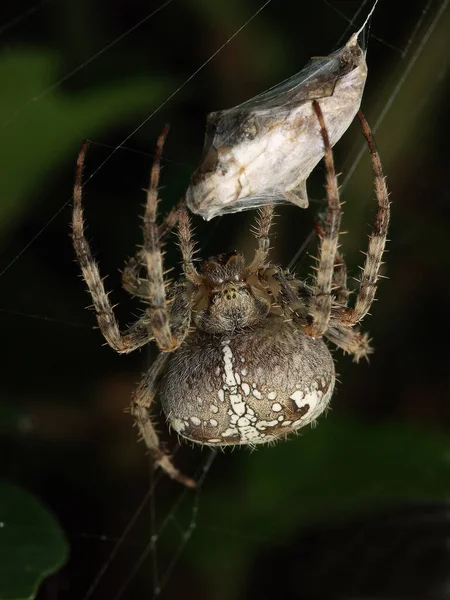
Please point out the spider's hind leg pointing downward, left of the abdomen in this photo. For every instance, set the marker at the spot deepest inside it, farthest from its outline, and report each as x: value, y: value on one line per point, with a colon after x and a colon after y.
x: 143, y: 399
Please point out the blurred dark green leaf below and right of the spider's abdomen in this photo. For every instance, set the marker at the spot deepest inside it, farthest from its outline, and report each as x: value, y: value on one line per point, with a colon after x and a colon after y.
x: 341, y: 468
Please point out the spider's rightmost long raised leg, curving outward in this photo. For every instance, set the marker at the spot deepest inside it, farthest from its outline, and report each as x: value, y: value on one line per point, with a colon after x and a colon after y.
x: 377, y: 240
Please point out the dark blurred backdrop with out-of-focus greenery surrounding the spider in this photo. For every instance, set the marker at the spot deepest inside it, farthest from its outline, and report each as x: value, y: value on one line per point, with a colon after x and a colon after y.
x: 353, y: 509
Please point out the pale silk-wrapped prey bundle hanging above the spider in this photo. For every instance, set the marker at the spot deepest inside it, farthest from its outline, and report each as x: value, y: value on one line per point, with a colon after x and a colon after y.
x: 263, y: 150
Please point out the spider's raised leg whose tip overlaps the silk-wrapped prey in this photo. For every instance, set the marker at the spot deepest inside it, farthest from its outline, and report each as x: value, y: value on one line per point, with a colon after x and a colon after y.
x: 320, y: 305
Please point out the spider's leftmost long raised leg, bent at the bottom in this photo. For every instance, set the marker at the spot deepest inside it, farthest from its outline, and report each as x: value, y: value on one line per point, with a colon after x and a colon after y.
x: 139, y: 333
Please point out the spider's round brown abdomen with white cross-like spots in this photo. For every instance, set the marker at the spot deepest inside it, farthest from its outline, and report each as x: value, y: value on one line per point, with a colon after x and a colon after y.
x: 248, y: 388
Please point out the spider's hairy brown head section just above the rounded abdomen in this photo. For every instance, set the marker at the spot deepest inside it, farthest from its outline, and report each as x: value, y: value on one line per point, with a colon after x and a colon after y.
x: 226, y: 300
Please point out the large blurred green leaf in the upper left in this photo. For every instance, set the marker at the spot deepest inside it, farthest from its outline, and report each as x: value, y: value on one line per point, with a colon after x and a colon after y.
x: 45, y: 126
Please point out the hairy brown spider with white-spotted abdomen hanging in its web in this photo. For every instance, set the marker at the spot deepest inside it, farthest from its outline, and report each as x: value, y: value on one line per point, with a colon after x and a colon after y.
x: 242, y: 356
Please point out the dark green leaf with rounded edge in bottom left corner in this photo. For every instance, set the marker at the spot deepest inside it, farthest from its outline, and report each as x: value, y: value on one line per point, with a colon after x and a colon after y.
x: 32, y: 545
